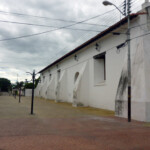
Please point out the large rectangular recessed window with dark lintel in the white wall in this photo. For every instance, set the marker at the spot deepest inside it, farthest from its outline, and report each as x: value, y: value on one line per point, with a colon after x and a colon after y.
x: 99, y: 68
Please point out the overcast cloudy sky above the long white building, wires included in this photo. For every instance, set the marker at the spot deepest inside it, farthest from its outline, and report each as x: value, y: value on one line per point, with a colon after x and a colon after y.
x: 34, y: 33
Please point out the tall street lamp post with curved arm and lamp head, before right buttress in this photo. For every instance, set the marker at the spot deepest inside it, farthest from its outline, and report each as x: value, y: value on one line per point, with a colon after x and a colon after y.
x: 106, y: 3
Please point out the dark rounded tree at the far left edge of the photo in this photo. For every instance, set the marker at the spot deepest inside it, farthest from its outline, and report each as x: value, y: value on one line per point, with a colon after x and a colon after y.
x: 5, y: 85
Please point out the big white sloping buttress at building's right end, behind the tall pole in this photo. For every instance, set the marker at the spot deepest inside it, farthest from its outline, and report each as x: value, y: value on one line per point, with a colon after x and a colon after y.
x: 140, y: 70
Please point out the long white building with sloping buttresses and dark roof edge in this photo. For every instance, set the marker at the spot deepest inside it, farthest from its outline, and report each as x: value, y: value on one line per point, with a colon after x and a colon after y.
x: 98, y: 77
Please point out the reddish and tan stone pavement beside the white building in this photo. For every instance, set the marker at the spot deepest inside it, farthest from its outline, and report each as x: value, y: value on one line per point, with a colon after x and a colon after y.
x: 58, y: 126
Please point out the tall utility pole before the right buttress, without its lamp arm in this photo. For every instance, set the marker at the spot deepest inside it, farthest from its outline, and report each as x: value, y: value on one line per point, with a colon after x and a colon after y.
x: 129, y: 61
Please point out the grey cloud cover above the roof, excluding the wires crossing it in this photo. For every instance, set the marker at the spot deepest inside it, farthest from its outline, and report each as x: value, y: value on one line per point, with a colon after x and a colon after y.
x: 26, y: 54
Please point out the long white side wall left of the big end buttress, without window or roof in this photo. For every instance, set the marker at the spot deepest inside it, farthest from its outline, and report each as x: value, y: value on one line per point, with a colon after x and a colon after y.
x: 89, y: 93
